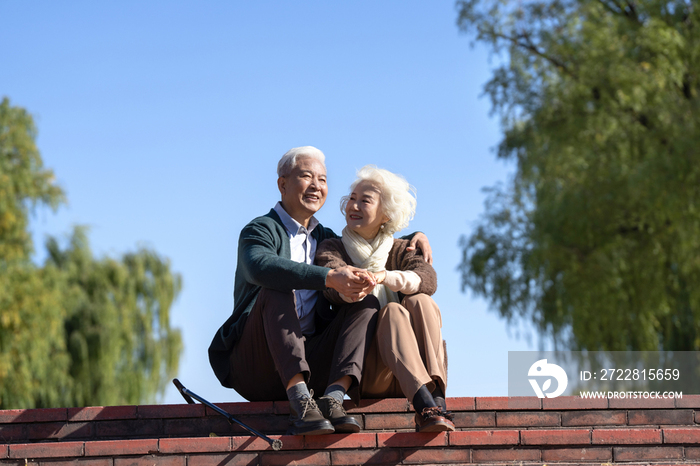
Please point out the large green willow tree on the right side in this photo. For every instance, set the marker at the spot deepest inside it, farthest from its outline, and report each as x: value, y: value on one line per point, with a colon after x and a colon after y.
x: 596, y: 239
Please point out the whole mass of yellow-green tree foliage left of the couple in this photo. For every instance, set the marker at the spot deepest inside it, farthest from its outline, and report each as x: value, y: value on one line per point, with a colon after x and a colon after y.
x: 78, y: 330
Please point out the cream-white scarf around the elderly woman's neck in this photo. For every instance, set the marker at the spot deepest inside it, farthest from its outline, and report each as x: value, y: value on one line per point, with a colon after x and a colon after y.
x: 371, y: 256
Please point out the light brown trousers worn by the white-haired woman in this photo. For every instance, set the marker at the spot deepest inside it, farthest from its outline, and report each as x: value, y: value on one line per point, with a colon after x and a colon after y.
x: 407, y: 350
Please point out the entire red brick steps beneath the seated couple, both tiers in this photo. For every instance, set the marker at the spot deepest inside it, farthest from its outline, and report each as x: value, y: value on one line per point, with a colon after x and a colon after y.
x: 490, y: 430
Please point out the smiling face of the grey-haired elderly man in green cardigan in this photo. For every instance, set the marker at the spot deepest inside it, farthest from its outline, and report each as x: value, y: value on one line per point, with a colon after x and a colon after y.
x: 304, y: 190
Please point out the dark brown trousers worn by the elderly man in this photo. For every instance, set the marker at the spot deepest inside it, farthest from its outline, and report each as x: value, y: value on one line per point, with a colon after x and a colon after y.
x: 272, y: 349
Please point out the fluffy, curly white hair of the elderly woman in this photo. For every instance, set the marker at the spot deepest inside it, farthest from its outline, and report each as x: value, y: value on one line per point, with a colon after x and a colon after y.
x: 397, y: 197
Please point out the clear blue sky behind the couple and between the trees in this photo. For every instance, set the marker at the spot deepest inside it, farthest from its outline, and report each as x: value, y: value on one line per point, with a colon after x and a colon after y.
x: 164, y: 122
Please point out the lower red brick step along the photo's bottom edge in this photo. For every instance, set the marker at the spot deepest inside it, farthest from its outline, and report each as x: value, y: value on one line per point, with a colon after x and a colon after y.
x: 361, y: 448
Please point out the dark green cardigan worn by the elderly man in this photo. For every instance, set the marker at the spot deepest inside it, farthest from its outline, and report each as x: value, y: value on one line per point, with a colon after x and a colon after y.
x: 264, y: 261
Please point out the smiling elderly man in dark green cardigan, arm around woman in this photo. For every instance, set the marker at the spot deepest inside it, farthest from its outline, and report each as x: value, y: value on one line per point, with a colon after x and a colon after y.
x: 282, y: 336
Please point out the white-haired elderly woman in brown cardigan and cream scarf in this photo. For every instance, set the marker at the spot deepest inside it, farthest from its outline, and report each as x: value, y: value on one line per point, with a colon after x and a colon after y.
x: 407, y: 356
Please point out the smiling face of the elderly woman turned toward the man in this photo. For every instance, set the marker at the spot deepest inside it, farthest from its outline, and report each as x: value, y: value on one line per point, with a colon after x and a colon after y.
x: 363, y: 211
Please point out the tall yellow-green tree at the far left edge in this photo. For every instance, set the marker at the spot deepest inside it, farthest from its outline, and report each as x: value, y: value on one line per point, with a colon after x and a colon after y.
x: 33, y: 362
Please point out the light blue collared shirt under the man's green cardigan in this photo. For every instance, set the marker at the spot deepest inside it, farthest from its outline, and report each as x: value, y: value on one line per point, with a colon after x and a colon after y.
x: 303, y: 247
